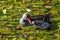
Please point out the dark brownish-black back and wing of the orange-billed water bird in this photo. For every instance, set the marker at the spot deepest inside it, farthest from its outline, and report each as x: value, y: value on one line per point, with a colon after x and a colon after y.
x: 45, y: 18
